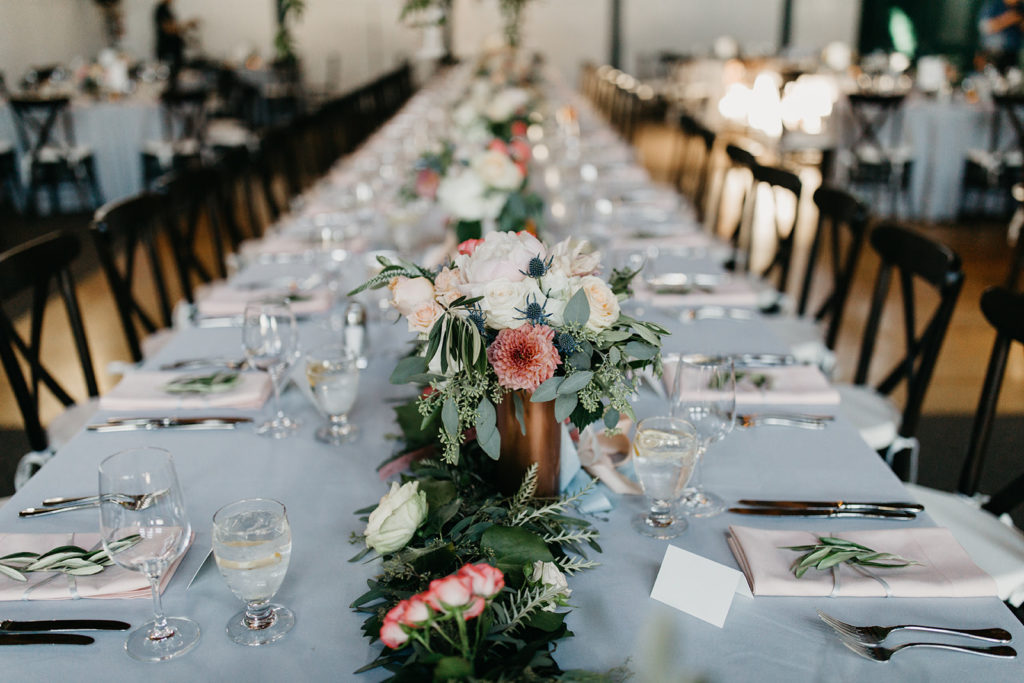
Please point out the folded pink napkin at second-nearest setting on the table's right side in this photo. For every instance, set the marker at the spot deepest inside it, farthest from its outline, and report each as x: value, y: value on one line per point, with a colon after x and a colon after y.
x: 788, y: 386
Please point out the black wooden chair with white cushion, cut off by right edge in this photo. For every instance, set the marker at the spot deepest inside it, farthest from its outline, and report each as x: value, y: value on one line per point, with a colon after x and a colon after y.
x: 996, y: 546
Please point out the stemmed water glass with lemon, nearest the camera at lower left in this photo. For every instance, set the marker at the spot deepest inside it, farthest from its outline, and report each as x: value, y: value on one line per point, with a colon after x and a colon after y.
x: 252, y: 544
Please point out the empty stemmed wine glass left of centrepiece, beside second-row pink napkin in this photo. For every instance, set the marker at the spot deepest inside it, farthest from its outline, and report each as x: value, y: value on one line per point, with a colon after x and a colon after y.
x: 271, y: 343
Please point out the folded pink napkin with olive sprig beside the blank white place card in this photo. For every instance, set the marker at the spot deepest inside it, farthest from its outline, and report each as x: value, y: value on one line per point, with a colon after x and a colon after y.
x: 947, y: 571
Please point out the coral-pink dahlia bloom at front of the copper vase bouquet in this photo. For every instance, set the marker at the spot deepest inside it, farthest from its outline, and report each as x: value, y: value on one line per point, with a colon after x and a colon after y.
x: 525, y: 358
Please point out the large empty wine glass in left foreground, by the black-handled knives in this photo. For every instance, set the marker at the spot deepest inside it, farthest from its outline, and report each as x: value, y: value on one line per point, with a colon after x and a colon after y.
x: 140, y: 495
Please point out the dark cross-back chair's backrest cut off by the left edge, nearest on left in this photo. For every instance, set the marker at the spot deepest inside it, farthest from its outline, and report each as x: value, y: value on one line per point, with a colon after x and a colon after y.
x: 32, y: 268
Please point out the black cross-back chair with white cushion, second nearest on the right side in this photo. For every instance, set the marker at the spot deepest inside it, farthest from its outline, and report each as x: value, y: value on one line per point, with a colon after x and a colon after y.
x: 912, y: 259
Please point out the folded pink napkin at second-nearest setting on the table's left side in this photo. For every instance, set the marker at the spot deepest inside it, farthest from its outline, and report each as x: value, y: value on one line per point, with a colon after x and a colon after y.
x: 146, y: 391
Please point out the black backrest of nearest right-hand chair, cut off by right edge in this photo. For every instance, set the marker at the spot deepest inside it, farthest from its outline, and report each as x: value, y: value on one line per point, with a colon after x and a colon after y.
x: 1005, y: 312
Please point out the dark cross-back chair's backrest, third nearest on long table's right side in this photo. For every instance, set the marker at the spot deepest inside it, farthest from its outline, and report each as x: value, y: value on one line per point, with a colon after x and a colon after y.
x: 843, y: 219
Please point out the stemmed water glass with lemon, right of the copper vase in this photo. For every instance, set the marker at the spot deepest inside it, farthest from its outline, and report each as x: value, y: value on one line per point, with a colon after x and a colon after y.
x: 666, y: 452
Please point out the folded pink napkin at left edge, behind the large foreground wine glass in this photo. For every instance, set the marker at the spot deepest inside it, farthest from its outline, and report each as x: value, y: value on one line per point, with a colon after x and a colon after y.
x: 113, y: 583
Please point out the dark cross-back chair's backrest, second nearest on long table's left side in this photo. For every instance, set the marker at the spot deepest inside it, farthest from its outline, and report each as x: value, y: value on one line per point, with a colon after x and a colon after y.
x: 127, y: 233
